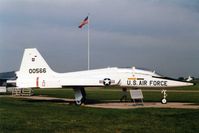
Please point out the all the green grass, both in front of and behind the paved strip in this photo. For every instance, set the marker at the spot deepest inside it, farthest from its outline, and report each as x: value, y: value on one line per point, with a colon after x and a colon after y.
x: 34, y: 116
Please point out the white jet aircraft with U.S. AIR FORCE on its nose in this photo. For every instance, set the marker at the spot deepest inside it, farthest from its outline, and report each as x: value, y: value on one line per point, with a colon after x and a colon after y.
x: 35, y: 73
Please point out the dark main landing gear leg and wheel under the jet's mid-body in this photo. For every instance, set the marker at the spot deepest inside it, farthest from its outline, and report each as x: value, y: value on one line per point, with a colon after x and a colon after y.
x: 80, y: 95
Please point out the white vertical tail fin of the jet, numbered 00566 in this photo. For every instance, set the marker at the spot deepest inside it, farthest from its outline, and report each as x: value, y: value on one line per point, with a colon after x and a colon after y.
x: 33, y: 62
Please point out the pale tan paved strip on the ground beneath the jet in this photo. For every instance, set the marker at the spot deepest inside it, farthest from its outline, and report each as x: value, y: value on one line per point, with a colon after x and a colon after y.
x: 116, y: 104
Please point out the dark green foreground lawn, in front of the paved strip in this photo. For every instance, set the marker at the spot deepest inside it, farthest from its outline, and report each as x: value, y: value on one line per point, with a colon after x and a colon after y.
x: 20, y: 115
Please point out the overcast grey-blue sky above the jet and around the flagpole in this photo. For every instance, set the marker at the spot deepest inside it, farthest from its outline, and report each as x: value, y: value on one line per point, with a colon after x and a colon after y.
x: 161, y: 35
